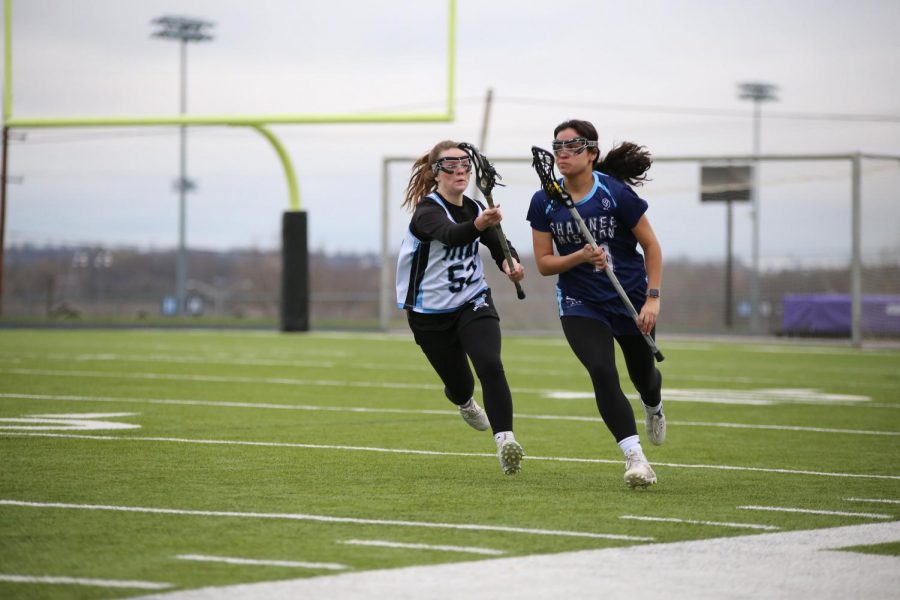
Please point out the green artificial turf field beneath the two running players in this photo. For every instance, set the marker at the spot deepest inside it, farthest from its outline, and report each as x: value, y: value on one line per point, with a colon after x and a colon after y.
x: 249, y: 456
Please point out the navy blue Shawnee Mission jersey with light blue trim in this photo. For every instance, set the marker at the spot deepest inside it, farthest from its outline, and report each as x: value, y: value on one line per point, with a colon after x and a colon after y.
x: 610, y: 211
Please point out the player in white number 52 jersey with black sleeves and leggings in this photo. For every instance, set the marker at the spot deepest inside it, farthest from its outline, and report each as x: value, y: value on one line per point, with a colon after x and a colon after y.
x: 441, y: 285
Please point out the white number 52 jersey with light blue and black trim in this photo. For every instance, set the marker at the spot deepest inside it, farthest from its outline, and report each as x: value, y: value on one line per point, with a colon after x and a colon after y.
x: 435, y: 278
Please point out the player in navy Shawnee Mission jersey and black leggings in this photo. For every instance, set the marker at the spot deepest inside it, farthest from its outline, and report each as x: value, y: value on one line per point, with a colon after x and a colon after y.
x: 591, y: 312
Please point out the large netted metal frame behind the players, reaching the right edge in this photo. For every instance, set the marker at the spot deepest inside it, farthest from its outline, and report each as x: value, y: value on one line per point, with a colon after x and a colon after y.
x: 829, y: 247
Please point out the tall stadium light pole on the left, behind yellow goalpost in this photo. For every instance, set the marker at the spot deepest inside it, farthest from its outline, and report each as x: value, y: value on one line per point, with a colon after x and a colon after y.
x: 183, y: 30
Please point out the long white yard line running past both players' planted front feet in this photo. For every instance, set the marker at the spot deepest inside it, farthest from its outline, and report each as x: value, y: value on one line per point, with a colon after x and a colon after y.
x: 437, y: 453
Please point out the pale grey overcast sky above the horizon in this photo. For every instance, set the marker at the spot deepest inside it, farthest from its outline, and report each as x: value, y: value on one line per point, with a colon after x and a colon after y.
x: 661, y: 73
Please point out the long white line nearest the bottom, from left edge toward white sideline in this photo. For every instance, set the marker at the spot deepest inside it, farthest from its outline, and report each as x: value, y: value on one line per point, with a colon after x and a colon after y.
x: 326, y: 519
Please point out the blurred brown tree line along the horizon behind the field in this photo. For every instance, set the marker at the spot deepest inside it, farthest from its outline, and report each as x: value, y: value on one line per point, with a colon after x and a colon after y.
x: 74, y: 282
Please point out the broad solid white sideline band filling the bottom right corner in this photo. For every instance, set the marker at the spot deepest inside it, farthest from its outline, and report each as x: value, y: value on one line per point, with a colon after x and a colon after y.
x: 802, y: 565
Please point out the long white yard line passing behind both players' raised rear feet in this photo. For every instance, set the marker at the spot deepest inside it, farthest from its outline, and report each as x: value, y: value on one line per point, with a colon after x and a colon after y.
x: 455, y: 414
